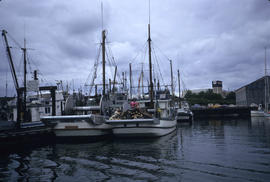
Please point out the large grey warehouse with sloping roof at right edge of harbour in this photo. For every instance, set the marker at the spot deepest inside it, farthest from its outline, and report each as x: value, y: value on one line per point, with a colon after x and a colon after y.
x: 254, y: 92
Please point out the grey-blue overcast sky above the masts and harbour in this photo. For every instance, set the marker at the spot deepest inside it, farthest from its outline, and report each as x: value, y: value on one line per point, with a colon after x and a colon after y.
x: 206, y: 40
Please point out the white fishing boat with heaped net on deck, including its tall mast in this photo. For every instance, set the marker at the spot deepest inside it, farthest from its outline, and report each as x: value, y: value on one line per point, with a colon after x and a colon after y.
x: 154, y: 118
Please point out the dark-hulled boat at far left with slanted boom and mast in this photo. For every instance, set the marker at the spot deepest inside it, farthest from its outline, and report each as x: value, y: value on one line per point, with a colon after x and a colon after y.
x: 24, y: 125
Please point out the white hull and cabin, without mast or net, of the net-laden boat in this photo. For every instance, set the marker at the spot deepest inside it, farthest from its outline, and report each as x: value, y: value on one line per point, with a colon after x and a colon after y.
x: 156, y: 125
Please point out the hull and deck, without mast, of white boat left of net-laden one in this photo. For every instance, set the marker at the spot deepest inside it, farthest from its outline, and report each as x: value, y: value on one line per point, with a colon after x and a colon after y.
x: 87, y: 122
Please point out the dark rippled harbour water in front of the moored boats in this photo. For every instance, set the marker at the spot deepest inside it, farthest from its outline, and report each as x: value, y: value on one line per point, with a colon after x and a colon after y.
x: 209, y: 150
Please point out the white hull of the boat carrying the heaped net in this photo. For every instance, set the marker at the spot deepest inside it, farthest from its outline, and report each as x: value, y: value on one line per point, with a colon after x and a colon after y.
x: 144, y: 130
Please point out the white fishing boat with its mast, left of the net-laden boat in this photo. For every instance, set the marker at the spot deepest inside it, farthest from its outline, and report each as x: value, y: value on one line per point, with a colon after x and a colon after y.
x: 87, y: 121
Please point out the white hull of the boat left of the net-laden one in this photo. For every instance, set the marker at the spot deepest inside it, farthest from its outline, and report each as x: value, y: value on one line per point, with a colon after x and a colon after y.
x: 81, y: 129
